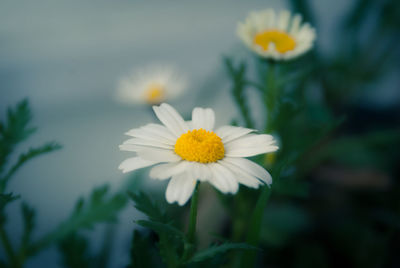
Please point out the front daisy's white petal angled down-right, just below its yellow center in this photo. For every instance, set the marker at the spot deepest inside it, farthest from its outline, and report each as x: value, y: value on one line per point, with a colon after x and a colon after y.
x: 223, y: 179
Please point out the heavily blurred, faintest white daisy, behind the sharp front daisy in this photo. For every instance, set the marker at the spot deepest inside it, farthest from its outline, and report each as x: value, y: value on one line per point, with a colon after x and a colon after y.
x: 151, y: 85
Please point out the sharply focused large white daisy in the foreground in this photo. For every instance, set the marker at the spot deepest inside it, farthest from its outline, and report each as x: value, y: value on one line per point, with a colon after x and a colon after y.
x: 194, y: 151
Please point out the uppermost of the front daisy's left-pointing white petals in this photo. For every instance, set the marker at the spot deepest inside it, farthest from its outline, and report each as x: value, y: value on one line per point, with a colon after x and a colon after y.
x: 153, y: 132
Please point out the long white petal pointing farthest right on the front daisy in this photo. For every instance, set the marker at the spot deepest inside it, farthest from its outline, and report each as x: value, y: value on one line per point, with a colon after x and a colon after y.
x: 250, y: 145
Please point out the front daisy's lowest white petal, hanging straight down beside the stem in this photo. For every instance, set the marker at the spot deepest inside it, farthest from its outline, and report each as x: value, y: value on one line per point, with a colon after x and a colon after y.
x: 180, y: 189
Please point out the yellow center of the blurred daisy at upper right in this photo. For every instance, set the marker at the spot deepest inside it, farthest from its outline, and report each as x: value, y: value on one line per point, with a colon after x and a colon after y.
x: 283, y: 42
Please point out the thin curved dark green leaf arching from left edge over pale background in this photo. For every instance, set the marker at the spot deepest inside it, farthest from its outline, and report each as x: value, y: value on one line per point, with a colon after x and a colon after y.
x: 23, y: 158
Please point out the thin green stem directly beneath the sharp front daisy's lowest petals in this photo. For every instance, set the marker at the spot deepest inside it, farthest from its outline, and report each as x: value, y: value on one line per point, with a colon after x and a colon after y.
x: 190, y: 237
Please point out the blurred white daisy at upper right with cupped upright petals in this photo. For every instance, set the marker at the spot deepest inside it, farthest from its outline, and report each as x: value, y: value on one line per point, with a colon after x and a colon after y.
x: 278, y: 36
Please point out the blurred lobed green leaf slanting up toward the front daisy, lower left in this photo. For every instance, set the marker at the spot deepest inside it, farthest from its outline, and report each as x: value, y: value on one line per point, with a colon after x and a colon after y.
x: 100, y: 208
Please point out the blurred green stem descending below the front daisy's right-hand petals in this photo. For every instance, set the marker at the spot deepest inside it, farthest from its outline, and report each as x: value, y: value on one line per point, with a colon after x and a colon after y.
x: 255, y: 227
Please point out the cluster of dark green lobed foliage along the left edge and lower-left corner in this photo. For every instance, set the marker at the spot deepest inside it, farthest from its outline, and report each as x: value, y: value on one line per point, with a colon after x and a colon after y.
x: 99, y: 207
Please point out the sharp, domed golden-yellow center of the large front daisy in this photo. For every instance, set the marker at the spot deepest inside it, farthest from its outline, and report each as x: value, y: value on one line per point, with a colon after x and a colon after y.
x: 200, y: 145
